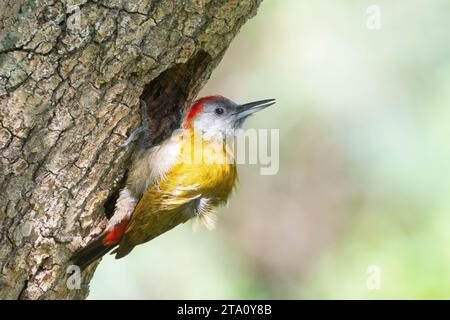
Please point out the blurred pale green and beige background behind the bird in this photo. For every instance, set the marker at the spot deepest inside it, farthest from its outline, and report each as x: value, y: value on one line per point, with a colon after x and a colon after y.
x: 364, y: 119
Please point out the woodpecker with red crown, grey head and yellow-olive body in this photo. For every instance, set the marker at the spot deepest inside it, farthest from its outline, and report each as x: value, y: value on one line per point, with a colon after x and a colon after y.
x: 188, y: 175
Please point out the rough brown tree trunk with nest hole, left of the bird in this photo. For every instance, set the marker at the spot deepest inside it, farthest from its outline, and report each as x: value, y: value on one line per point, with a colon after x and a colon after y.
x: 71, y: 75
